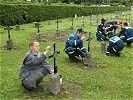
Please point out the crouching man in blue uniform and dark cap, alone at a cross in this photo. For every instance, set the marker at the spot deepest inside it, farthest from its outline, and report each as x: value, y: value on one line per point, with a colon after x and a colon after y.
x: 74, y: 45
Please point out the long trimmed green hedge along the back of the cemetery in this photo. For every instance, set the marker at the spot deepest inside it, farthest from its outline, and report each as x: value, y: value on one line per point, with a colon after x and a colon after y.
x: 20, y: 14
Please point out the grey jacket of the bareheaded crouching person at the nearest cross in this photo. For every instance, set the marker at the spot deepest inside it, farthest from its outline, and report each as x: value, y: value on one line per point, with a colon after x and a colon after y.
x: 34, y: 67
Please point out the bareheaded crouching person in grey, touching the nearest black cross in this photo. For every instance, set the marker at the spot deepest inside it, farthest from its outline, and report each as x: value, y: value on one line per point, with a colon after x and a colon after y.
x: 34, y: 67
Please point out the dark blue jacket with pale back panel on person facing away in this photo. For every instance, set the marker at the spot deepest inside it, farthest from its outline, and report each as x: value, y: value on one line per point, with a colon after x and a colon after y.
x: 116, y: 43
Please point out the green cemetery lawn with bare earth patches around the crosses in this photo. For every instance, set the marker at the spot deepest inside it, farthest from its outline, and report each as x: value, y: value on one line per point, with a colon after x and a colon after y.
x: 110, y: 78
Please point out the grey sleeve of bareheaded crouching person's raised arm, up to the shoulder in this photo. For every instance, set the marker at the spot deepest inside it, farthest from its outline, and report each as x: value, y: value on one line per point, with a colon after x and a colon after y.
x: 34, y: 60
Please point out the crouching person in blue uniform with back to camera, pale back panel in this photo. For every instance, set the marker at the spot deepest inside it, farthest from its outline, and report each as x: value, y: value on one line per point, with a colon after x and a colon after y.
x: 115, y: 45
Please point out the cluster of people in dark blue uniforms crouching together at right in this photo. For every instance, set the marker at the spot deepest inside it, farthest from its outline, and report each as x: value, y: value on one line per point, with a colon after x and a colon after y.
x: 106, y: 31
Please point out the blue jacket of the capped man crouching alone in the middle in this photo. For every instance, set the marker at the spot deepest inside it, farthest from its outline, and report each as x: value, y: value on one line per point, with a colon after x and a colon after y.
x: 74, y: 41
